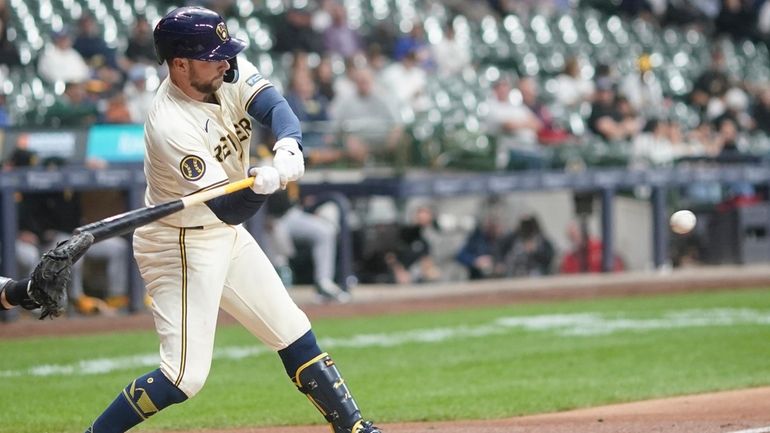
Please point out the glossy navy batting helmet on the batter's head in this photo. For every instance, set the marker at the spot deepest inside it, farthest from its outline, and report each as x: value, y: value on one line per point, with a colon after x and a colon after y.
x: 198, y: 33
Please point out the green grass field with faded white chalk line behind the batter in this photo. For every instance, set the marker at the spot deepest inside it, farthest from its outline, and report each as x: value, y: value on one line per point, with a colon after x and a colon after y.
x: 483, y: 370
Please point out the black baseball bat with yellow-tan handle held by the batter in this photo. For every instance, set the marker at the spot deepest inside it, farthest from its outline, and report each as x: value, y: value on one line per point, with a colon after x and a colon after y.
x: 121, y: 224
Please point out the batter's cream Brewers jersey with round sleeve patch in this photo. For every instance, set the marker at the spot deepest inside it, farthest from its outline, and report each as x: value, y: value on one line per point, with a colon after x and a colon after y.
x: 192, y: 146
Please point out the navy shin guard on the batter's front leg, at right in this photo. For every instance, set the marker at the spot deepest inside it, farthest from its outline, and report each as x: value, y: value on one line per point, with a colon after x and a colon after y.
x: 321, y: 382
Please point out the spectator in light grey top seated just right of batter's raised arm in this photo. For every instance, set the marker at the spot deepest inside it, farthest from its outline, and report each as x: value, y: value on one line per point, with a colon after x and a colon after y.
x: 369, y: 124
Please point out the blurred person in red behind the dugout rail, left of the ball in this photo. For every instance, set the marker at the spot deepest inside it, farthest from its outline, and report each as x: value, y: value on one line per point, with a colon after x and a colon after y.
x: 586, y: 252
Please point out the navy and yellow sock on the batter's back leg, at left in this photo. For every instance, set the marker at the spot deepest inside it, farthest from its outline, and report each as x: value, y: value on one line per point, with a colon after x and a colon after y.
x: 141, y: 399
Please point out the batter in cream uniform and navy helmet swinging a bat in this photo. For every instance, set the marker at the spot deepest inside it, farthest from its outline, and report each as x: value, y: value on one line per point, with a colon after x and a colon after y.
x: 202, y: 259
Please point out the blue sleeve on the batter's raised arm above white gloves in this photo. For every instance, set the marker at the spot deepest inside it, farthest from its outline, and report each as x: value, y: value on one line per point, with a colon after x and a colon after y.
x: 272, y: 110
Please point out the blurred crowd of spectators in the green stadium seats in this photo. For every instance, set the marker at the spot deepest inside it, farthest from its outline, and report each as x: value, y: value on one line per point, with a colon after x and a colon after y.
x: 362, y: 91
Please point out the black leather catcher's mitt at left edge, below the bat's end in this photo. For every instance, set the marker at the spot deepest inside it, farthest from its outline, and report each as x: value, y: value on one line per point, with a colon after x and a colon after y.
x: 51, y: 277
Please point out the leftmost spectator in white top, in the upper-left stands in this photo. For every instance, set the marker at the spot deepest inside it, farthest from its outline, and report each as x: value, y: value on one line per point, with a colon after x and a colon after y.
x: 61, y: 62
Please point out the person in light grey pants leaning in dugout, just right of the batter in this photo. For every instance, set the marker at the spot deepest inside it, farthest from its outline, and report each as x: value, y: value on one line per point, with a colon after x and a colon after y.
x: 289, y: 221
